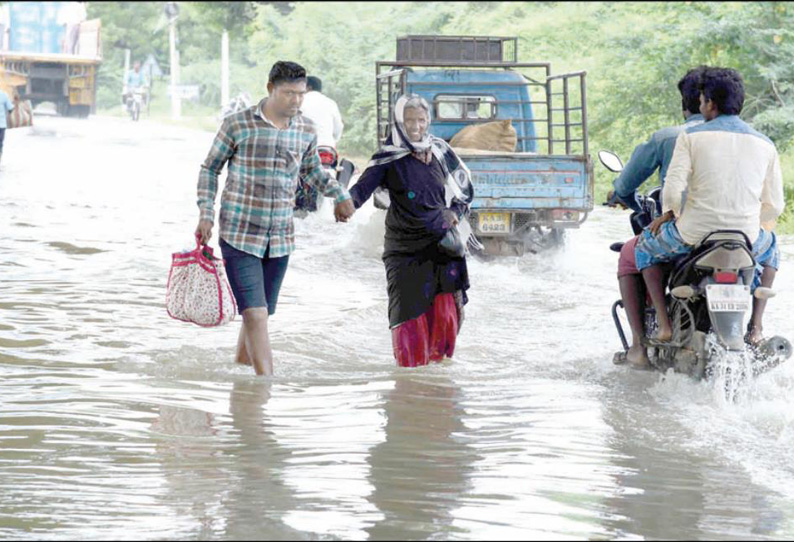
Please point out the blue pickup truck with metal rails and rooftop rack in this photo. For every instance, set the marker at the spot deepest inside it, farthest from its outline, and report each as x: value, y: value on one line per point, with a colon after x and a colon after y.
x: 526, y: 198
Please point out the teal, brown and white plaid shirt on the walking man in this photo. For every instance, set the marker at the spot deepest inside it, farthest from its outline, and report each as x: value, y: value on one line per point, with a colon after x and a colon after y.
x: 264, y: 166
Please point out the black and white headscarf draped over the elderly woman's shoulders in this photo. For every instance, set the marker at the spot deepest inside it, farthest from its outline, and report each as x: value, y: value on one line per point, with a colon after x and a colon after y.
x: 458, y: 186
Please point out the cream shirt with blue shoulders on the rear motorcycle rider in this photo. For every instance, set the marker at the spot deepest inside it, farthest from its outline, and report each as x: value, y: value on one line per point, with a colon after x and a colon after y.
x: 723, y: 175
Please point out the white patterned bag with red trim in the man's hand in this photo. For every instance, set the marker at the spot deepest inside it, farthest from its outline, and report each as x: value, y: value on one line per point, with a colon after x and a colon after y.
x: 198, y: 290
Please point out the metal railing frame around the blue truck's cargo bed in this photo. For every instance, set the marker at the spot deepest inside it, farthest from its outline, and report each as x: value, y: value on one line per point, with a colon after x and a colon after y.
x: 562, y: 124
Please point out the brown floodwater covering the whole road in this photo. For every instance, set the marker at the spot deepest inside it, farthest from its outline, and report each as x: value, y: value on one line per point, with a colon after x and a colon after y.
x: 117, y: 422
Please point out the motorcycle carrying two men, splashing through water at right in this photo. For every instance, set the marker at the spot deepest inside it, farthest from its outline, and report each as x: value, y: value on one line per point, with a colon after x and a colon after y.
x: 708, y: 299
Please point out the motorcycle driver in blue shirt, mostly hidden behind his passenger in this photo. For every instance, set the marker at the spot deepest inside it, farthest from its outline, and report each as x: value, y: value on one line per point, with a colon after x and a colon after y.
x: 654, y: 154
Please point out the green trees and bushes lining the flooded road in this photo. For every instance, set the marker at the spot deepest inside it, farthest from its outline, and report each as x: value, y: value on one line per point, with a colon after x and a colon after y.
x: 633, y: 52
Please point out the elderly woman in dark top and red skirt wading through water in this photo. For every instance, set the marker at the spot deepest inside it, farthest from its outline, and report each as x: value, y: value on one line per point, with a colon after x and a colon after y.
x: 426, y: 234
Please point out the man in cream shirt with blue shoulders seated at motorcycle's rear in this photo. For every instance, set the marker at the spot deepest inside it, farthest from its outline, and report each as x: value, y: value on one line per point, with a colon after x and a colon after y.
x: 723, y: 175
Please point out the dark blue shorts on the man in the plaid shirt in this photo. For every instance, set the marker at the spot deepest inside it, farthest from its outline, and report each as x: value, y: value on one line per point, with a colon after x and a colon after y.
x: 255, y: 281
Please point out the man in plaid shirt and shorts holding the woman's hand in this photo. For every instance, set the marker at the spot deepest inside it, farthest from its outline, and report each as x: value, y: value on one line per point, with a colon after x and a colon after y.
x: 267, y: 148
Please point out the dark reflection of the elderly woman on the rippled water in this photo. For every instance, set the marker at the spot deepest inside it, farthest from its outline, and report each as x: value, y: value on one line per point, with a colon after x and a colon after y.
x: 422, y: 468
